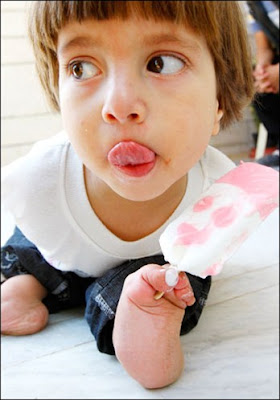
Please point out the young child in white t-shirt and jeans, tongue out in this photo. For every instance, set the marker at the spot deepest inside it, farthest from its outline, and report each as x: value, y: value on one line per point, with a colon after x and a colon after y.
x: 142, y: 86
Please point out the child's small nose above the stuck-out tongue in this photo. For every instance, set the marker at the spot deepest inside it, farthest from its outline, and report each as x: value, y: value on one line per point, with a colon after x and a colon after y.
x: 123, y: 102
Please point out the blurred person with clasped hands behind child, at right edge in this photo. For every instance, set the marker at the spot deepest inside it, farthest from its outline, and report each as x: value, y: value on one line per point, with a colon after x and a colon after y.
x: 263, y: 24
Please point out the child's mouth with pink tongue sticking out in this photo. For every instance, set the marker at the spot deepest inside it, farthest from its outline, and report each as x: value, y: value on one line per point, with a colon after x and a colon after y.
x: 132, y: 158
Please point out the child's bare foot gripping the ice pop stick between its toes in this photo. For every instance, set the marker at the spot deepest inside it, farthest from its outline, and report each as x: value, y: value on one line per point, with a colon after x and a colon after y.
x: 147, y: 331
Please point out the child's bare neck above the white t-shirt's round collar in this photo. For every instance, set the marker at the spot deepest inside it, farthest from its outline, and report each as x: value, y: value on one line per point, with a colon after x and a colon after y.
x: 132, y: 220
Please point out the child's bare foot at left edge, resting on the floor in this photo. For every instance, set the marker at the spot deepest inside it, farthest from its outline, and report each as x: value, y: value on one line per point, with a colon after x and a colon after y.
x: 22, y: 311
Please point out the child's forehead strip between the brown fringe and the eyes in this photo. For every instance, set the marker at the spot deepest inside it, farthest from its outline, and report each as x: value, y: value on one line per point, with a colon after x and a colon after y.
x: 143, y: 32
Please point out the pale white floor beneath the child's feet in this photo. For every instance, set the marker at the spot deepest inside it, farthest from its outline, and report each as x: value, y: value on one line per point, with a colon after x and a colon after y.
x: 232, y: 354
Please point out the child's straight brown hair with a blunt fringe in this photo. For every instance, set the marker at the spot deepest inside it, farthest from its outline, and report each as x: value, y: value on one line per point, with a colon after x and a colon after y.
x: 220, y: 22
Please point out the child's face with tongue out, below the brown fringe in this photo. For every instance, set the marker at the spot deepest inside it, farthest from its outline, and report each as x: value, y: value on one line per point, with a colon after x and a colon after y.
x: 151, y: 83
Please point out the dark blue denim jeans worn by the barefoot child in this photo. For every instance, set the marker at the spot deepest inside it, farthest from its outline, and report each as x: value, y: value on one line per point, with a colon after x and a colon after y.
x: 100, y: 296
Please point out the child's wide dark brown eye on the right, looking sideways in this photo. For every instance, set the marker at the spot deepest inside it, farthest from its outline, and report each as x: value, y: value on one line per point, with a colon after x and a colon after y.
x: 165, y: 65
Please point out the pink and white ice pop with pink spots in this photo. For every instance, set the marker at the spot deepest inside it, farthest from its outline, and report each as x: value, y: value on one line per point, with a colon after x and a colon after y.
x: 209, y: 231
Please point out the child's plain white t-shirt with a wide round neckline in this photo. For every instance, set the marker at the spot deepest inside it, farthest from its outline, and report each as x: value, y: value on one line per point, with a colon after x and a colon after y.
x: 45, y: 193
